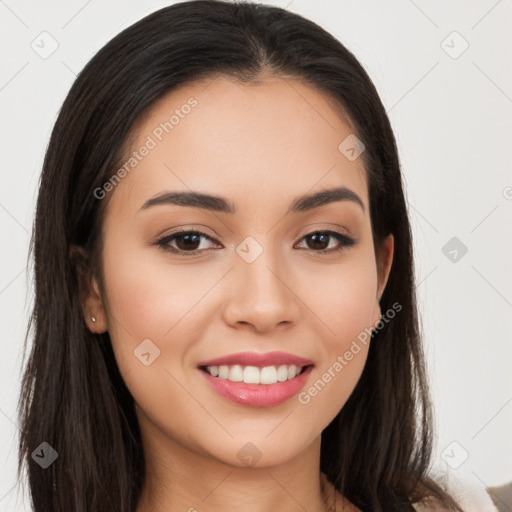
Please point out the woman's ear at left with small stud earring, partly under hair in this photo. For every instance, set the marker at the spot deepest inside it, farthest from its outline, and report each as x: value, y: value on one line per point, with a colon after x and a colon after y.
x: 90, y: 296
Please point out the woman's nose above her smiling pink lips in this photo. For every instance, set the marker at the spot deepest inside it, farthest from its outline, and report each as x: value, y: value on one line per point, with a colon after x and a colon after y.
x: 260, y: 295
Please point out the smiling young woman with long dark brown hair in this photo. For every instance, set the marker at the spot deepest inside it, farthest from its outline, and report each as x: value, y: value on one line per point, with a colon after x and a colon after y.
x: 225, y: 313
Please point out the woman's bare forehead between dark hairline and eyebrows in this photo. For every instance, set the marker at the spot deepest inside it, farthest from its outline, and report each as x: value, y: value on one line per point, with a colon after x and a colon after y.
x: 256, y: 142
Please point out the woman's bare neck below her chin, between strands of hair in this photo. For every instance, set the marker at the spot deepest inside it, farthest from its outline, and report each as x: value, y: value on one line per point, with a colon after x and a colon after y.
x: 180, y: 479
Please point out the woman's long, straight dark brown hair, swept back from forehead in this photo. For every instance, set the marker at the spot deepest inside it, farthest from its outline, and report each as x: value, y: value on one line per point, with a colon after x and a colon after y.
x: 377, y: 450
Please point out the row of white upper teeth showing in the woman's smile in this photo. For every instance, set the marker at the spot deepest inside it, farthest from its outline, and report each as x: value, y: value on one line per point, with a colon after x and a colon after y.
x: 255, y: 375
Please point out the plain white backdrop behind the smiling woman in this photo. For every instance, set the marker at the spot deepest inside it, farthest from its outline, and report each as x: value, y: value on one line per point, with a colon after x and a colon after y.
x: 453, y: 122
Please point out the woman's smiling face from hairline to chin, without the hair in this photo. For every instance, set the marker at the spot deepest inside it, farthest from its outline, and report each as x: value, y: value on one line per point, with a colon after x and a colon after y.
x: 256, y: 279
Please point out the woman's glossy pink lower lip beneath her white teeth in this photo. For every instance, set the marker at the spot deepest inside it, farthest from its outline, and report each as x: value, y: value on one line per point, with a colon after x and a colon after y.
x: 258, y: 395
